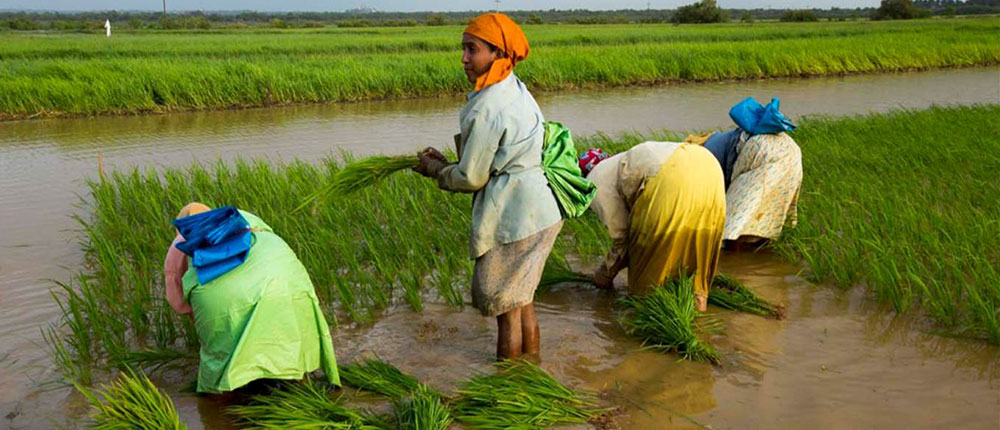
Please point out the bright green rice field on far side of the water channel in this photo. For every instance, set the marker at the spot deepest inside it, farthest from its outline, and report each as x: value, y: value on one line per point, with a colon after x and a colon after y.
x: 55, y: 73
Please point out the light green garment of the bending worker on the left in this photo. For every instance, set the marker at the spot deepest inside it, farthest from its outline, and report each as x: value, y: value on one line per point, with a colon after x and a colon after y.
x: 260, y: 320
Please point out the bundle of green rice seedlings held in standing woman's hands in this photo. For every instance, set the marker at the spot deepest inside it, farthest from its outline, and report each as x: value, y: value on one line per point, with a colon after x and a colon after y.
x: 359, y: 174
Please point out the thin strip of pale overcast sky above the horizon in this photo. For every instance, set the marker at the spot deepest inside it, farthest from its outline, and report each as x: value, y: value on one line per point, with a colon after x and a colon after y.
x: 403, y: 5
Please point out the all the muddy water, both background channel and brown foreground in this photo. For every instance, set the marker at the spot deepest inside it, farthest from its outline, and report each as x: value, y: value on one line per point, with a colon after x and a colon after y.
x: 43, y: 165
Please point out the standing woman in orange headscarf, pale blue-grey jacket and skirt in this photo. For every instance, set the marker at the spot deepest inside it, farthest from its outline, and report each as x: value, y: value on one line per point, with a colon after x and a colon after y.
x: 515, y: 217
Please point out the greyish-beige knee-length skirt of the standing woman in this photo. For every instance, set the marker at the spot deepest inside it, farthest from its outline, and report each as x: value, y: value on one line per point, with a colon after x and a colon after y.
x: 505, y: 277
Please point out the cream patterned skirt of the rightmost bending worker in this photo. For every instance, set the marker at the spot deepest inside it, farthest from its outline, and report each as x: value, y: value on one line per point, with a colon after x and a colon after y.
x: 765, y: 187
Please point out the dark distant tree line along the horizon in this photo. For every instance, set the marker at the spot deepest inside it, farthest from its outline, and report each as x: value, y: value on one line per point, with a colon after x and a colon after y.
x: 704, y: 11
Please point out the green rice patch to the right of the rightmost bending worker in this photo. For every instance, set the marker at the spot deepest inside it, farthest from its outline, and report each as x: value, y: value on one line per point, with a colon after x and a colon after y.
x: 908, y: 205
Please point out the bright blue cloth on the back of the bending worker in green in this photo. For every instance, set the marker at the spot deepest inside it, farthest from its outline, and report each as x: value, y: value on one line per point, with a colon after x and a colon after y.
x: 217, y: 241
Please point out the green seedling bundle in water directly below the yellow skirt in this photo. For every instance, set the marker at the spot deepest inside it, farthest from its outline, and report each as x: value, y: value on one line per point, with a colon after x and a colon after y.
x: 666, y: 320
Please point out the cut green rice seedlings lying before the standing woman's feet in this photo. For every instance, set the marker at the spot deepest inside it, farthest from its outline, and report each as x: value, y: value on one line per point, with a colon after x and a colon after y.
x: 521, y: 396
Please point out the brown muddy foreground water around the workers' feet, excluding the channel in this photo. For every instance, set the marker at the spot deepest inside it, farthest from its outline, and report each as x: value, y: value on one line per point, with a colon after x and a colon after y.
x: 834, y: 363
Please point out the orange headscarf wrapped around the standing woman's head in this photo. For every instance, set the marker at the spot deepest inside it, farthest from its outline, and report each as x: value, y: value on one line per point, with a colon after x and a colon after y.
x: 499, y: 30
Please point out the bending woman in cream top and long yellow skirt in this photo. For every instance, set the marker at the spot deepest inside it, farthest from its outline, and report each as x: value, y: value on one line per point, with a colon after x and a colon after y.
x: 664, y: 204
